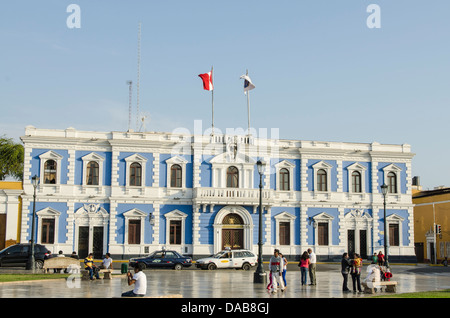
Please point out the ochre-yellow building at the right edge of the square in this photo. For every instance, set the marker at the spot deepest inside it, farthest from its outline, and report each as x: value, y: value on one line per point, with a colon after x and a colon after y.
x: 432, y: 209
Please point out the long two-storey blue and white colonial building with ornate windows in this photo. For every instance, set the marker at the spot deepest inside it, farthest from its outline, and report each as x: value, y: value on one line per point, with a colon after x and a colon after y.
x: 130, y: 193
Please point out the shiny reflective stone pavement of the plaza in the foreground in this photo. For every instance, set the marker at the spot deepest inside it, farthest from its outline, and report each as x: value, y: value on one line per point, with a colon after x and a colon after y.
x: 226, y: 284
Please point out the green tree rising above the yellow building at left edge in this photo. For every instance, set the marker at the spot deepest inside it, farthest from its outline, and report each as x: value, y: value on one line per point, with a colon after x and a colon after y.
x: 11, y: 159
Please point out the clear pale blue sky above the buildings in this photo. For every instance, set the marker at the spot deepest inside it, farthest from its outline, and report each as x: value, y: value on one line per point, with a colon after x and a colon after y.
x: 320, y: 72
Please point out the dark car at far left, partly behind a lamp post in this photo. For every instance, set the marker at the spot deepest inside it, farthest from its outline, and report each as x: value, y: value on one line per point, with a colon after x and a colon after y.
x: 18, y: 255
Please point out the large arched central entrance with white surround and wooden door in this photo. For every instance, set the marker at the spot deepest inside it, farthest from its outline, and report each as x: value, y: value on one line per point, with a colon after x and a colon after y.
x: 233, y: 228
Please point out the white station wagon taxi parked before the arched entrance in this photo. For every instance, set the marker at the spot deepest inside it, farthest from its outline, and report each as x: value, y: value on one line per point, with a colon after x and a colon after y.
x: 239, y: 259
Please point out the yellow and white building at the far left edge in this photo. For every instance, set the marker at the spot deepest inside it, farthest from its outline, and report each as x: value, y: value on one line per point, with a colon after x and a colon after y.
x: 10, y: 212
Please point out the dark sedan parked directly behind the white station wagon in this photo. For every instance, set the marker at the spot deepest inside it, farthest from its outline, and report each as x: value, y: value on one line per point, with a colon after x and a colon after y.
x: 162, y: 259
